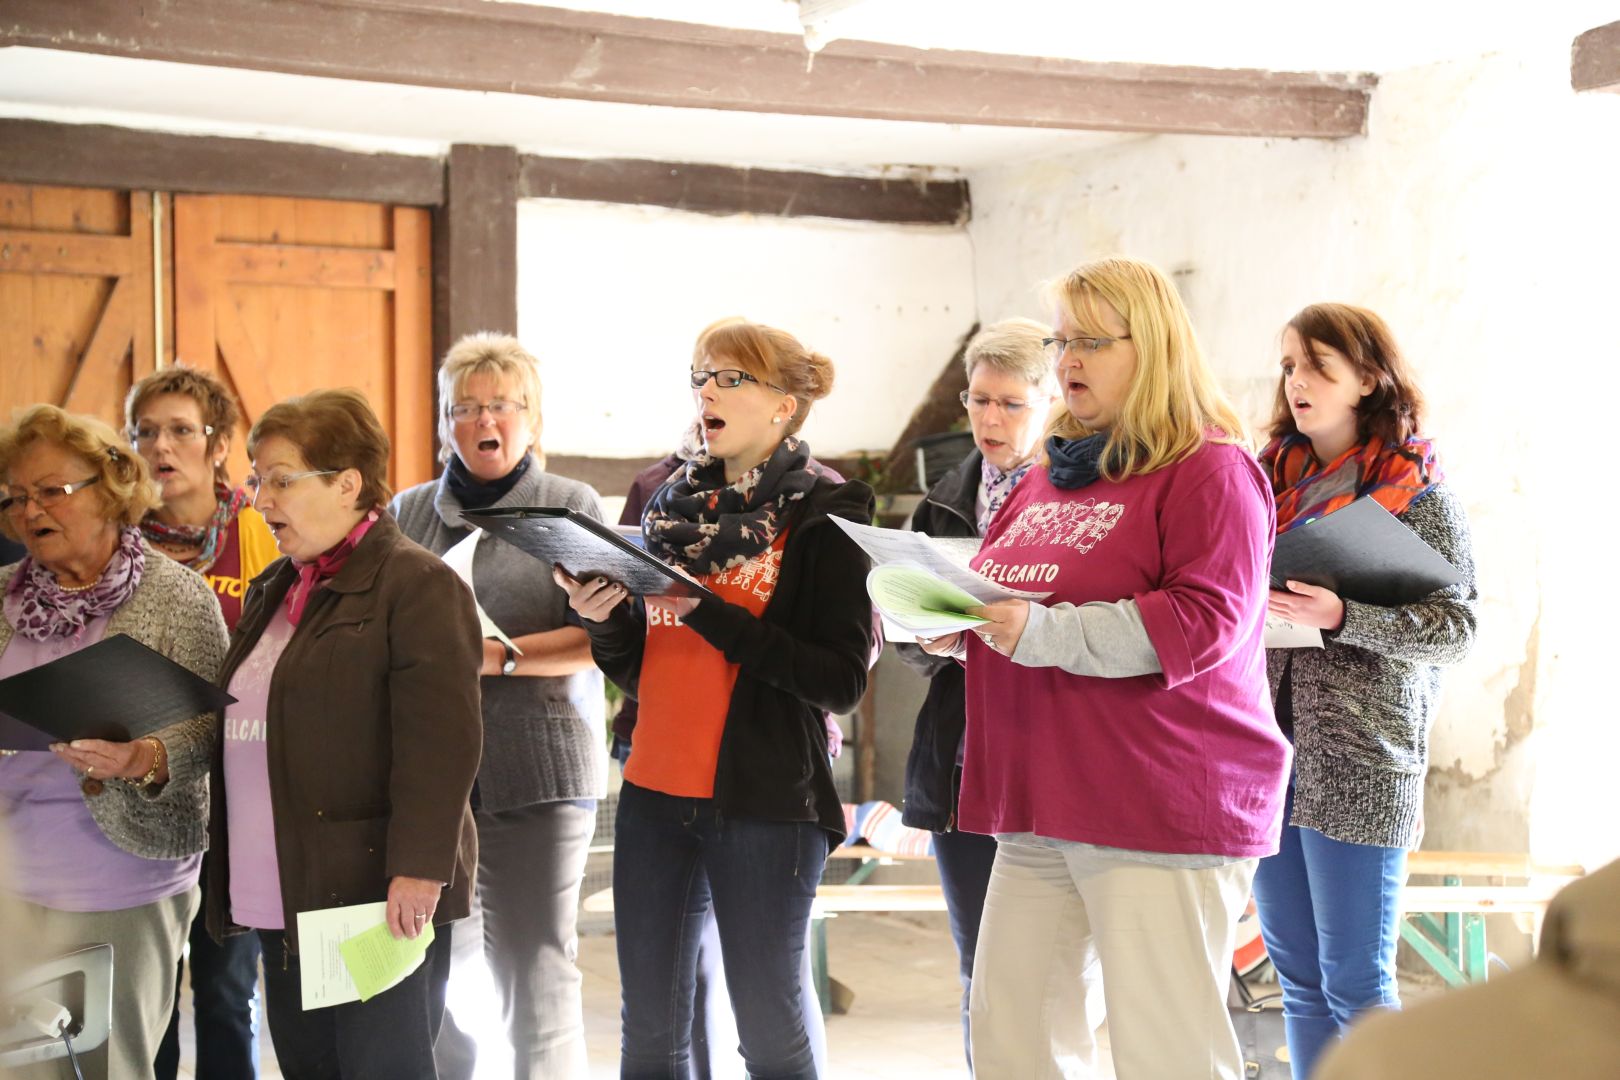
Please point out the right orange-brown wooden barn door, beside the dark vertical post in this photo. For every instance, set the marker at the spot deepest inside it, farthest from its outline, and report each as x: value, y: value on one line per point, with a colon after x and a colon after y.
x: 289, y: 296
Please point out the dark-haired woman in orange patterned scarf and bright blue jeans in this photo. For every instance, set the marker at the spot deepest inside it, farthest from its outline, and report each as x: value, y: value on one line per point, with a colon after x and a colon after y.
x: 1347, y: 427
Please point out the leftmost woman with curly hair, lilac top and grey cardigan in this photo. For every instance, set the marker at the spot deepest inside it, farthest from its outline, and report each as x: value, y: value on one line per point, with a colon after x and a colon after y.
x: 108, y: 836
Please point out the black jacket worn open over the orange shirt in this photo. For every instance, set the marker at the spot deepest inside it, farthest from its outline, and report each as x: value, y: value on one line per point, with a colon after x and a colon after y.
x: 804, y: 657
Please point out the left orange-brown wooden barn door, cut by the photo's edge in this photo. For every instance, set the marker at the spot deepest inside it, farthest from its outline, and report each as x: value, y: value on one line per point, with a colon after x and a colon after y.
x: 77, y: 297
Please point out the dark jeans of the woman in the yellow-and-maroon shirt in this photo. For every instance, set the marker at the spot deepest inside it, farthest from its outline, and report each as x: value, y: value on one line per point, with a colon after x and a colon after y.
x: 224, y: 984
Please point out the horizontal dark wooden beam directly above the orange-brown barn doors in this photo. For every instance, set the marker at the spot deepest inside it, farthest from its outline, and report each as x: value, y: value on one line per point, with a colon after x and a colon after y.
x: 98, y: 156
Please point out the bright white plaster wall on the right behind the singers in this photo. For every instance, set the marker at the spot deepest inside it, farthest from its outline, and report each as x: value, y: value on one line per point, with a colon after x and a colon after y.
x: 1480, y: 218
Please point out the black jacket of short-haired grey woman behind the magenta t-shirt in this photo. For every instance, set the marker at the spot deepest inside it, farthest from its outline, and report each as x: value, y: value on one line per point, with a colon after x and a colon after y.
x: 932, y: 778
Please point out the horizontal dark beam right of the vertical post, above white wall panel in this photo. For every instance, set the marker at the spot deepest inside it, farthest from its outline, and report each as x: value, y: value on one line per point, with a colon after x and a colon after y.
x: 723, y: 190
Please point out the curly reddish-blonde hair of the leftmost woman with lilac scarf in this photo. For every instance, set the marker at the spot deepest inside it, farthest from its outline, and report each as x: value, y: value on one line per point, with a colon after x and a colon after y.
x: 124, y: 483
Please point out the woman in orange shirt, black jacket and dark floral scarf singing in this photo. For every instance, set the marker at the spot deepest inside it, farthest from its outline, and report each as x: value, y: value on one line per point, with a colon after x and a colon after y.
x: 728, y: 794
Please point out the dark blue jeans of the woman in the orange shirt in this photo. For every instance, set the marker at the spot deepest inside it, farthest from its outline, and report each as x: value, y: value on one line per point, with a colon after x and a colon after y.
x: 673, y: 859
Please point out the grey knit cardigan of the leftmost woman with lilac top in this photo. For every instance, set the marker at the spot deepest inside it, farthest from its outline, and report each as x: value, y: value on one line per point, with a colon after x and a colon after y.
x: 174, y: 613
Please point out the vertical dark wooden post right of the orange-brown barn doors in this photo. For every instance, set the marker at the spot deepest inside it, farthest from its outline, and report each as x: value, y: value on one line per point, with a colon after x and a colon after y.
x: 475, y: 247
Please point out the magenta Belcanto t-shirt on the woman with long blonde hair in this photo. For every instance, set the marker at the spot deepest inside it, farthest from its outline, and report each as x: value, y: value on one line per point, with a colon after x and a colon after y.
x: 1188, y: 762
